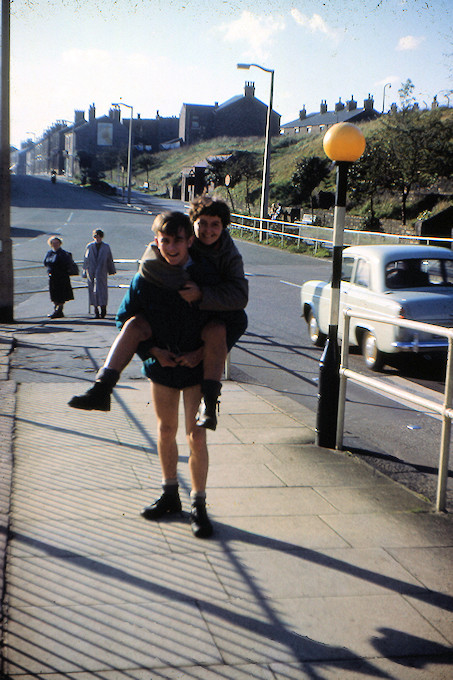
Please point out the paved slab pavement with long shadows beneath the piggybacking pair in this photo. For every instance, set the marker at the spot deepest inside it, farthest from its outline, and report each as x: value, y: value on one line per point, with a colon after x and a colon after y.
x: 320, y: 567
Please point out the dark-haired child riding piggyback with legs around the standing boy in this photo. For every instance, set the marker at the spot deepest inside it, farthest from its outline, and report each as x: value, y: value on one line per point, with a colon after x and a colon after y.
x: 220, y: 298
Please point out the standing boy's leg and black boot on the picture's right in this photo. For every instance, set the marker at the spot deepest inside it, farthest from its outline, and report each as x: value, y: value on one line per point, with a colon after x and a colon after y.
x: 198, y: 464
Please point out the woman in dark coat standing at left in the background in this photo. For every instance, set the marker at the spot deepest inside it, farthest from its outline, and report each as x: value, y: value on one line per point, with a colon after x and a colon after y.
x: 58, y: 262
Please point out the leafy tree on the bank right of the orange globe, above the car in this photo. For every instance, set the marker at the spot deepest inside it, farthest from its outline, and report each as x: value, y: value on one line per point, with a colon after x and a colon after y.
x: 419, y: 150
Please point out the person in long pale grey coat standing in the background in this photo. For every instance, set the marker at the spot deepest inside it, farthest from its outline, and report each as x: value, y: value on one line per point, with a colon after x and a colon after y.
x: 97, y: 265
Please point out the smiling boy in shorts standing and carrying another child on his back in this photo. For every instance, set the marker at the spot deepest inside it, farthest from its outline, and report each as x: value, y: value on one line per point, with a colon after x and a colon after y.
x: 174, y: 361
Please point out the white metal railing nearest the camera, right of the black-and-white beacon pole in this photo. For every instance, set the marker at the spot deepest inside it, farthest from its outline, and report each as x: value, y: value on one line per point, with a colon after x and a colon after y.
x: 444, y: 409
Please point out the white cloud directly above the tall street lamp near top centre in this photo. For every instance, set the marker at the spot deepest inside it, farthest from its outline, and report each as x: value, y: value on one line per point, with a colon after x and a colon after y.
x: 256, y: 32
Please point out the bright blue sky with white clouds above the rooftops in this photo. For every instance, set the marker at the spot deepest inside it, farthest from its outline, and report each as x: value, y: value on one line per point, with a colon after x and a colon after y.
x: 156, y: 55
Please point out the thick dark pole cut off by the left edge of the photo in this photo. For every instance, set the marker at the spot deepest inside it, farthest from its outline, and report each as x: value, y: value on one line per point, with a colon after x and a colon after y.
x: 6, y: 251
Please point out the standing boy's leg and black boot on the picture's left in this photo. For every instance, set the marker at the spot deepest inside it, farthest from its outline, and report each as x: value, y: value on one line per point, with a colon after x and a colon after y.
x: 166, y: 402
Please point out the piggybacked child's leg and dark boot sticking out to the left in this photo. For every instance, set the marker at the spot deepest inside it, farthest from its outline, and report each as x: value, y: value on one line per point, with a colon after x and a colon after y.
x: 98, y: 397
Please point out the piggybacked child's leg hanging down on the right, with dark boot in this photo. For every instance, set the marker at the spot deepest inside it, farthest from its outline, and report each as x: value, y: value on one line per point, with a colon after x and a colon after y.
x: 214, y: 357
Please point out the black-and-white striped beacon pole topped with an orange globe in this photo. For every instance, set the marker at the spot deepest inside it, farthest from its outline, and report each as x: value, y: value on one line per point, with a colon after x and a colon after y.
x: 343, y: 143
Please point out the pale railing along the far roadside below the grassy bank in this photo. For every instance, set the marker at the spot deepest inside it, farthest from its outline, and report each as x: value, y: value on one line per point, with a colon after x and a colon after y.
x: 322, y: 236
